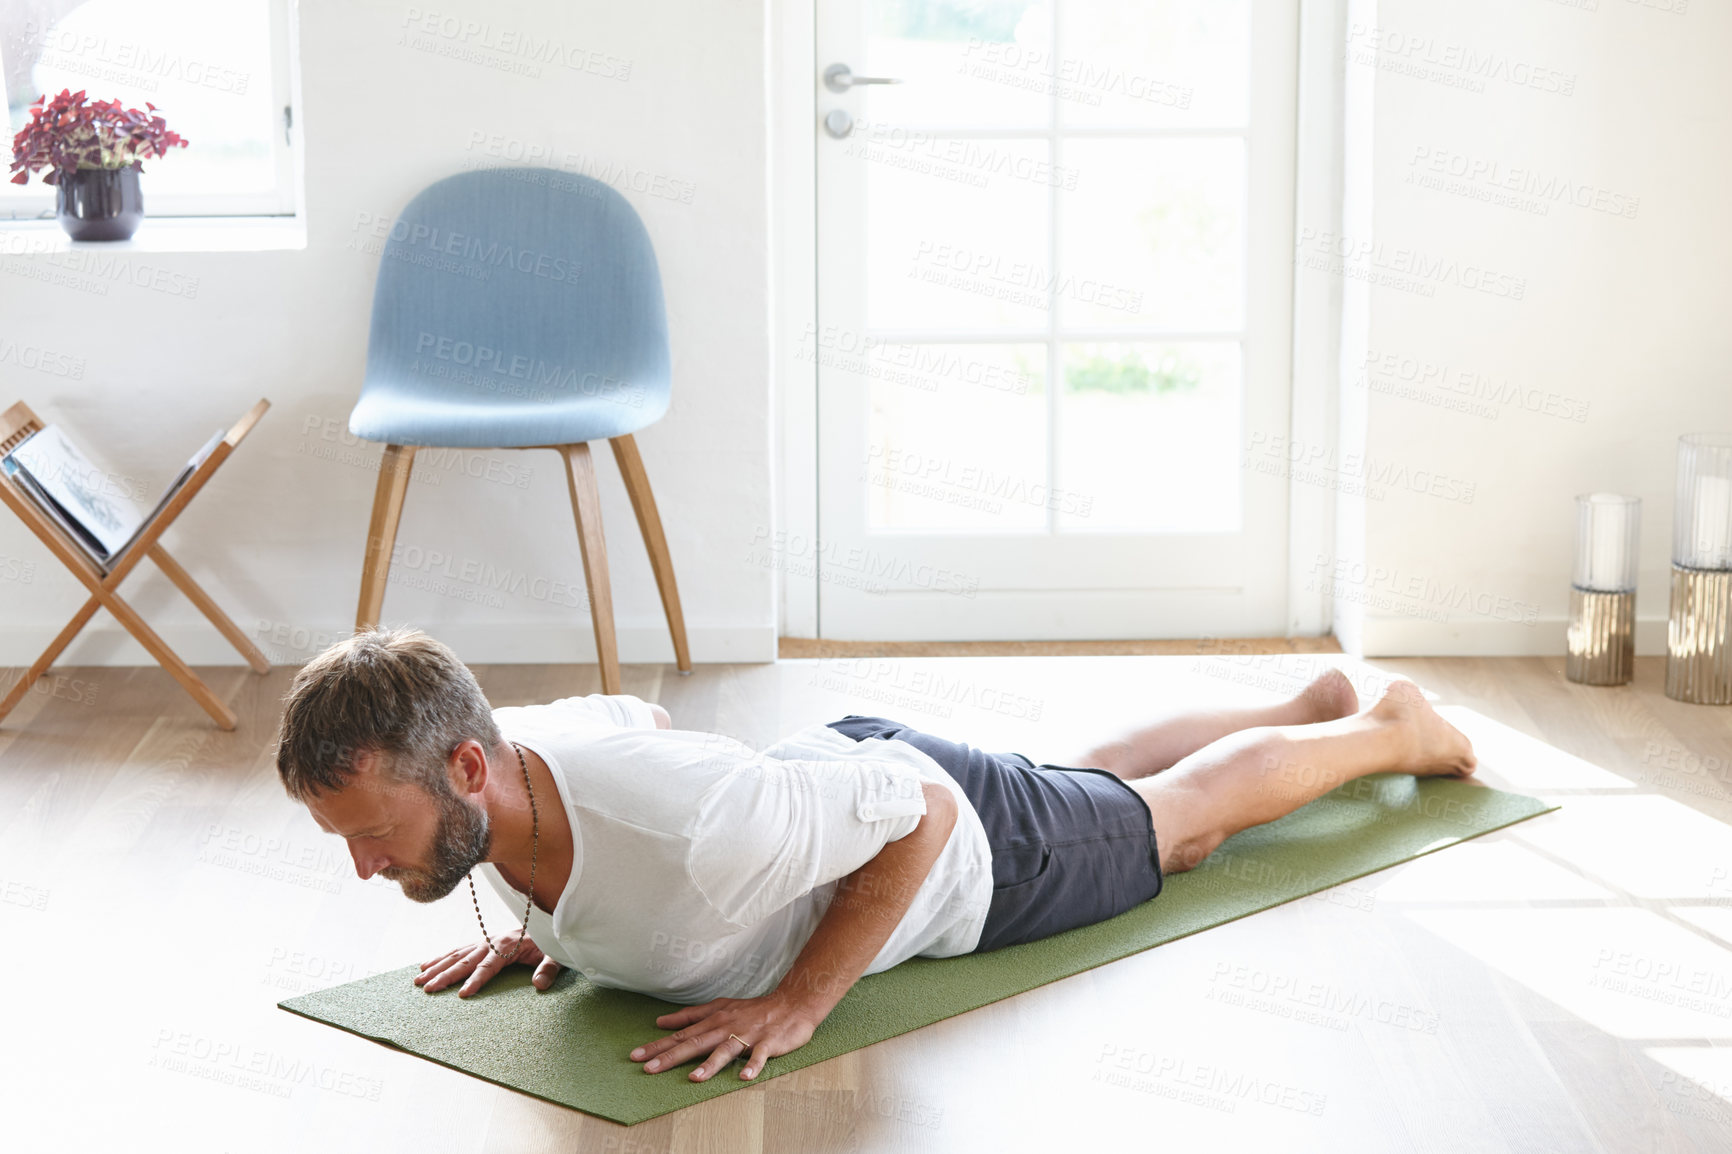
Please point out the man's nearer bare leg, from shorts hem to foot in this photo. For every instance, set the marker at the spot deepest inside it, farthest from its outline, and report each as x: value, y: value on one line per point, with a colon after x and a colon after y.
x: 1265, y: 774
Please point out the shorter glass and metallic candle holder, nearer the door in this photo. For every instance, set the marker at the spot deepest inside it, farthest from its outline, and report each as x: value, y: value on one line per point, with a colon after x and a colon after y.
x: 1603, y: 590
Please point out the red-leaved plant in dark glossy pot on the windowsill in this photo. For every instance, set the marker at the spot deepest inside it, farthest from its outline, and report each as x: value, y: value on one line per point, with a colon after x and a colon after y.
x: 93, y: 153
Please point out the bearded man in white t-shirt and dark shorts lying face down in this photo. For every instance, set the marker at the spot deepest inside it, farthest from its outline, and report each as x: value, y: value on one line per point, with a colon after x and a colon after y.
x: 759, y: 886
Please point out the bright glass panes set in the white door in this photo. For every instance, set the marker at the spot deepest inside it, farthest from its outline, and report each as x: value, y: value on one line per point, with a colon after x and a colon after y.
x: 1073, y: 183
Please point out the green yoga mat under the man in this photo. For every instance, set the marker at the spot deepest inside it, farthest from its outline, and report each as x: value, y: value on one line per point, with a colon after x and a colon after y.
x: 569, y: 1044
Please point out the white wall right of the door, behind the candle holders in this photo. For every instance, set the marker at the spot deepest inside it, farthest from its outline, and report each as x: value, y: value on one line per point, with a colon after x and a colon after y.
x: 1612, y: 313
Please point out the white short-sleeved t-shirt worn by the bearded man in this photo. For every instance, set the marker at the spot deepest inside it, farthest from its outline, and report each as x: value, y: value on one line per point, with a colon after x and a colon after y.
x: 701, y: 867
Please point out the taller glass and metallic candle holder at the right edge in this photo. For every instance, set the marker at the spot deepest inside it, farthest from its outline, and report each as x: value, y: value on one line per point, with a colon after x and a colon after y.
x: 1700, y: 626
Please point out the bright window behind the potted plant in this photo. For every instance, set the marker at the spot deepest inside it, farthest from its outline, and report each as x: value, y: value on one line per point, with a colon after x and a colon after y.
x: 217, y: 72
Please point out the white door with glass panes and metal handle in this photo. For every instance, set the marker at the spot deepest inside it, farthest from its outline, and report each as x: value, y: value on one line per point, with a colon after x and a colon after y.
x: 1054, y: 304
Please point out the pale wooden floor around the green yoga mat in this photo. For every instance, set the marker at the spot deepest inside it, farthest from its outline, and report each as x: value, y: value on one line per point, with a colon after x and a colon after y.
x: 1565, y: 985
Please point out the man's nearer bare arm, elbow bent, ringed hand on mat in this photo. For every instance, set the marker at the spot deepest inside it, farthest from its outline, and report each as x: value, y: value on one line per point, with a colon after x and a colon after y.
x: 865, y: 912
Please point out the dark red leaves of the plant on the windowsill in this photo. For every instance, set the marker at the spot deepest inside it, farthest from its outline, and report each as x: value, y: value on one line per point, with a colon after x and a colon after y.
x: 67, y: 134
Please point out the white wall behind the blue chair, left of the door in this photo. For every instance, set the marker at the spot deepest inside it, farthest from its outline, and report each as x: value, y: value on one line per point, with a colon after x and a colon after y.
x: 278, y: 538
